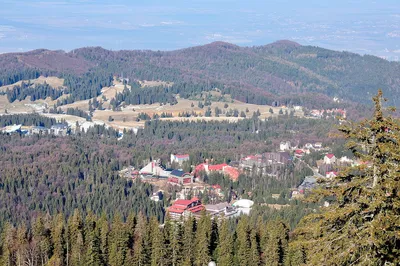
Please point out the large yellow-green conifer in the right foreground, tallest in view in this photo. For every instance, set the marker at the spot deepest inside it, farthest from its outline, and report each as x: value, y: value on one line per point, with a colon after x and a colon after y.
x: 362, y: 225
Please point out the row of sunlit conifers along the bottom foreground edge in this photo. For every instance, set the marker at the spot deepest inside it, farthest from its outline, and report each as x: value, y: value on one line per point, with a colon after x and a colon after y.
x: 137, y: 240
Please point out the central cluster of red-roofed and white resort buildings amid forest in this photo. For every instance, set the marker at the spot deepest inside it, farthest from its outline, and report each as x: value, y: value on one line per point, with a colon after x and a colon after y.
x: 190, y: 183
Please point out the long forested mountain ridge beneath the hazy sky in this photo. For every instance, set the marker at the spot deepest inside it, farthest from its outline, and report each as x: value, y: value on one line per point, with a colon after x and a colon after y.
x: 284, y: 71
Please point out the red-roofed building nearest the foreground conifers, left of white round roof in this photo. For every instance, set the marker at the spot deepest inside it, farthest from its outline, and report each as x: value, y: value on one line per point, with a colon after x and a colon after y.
x: 185, y: 208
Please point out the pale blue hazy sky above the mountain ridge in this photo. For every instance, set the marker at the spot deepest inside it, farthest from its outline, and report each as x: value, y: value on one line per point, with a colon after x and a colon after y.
x: 362, y: 26
